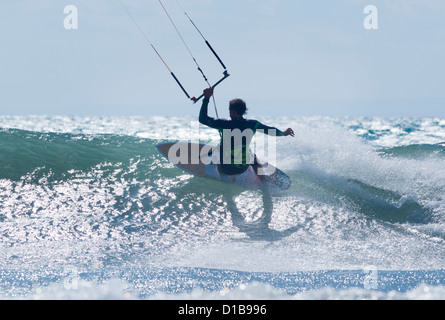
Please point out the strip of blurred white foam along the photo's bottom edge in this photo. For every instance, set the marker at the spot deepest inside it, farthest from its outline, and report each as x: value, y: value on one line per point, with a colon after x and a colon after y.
x: 118, y: 290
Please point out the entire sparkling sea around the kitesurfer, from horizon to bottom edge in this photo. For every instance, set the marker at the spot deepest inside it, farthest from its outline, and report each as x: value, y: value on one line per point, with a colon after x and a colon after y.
x: 92, y: 194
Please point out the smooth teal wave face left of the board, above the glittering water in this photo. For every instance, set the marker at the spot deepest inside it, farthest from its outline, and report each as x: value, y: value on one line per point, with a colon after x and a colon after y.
x: 54, y: 155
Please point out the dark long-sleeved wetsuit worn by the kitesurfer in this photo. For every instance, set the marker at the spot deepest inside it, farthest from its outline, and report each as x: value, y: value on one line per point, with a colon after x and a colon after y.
x: 234, y: 160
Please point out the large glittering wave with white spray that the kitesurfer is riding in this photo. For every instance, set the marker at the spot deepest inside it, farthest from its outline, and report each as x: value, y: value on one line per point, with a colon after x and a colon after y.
x: 110, y: 199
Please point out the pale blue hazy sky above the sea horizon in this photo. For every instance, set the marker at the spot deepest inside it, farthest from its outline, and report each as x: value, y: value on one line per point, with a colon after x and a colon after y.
x: 285, y: 57
